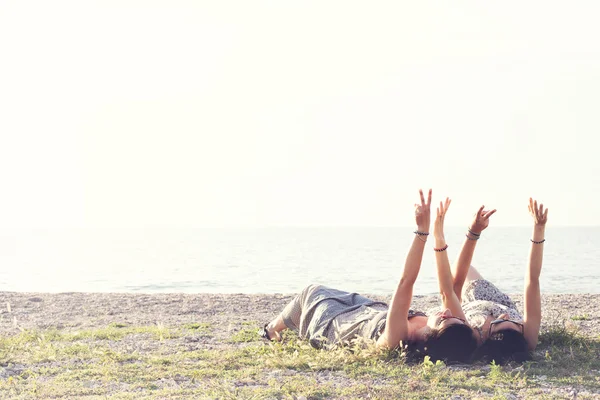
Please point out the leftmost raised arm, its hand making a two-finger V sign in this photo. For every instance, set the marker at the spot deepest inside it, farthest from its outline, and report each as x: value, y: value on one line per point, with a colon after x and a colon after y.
x: 396, y: 327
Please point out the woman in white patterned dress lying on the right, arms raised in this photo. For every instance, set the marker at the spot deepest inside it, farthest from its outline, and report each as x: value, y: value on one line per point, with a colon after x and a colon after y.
x: 503, y: 334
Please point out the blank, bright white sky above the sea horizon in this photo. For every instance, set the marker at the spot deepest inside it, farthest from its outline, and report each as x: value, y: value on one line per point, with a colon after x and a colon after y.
x: 212, y: 114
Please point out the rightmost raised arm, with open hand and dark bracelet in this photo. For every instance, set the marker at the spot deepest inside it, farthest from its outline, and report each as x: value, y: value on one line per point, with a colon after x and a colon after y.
x: 533, y: 304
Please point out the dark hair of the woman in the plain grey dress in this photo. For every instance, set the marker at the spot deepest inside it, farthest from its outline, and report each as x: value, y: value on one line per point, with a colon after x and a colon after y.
x: 452, y: 344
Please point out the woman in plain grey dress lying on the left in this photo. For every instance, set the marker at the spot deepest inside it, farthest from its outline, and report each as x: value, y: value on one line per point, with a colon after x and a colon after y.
x: 328, y: 317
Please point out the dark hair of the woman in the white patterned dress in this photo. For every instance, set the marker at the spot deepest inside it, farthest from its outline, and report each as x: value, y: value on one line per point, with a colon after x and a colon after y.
x: 502, y: 347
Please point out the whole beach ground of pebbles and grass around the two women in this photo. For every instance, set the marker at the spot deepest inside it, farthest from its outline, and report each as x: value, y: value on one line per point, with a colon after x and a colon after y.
x: 211, y: 342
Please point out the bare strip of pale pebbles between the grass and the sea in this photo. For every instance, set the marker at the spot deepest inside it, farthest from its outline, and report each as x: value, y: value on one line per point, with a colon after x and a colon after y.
x: 82, y: 310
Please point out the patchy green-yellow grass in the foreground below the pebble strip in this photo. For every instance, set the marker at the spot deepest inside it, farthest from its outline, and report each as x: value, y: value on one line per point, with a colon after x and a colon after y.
x: 132, y: 362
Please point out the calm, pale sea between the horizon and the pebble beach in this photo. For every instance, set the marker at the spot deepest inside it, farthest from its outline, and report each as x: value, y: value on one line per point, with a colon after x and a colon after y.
x: 278, y: 260
